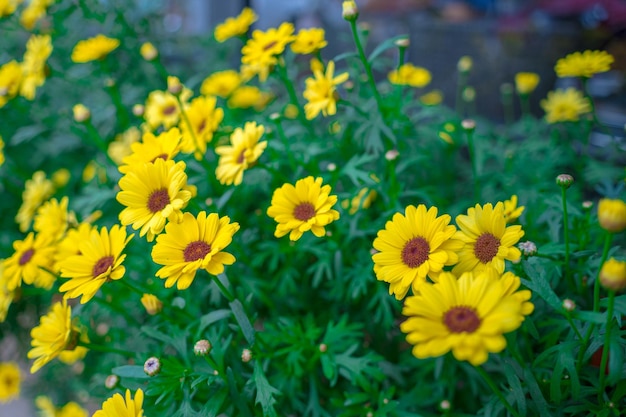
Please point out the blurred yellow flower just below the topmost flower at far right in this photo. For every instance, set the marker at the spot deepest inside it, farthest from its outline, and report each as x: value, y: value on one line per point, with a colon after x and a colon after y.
x: 565, y: 105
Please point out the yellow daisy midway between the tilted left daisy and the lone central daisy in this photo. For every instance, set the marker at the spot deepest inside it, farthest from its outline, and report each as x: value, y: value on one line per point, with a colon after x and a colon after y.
x: 195, y: 243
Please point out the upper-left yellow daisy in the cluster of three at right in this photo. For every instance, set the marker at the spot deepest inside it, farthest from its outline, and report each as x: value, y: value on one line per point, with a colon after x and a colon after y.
x: 413, y: 246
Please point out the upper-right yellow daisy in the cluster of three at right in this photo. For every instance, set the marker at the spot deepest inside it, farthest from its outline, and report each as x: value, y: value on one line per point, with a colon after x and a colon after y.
x: 488, y: 242
